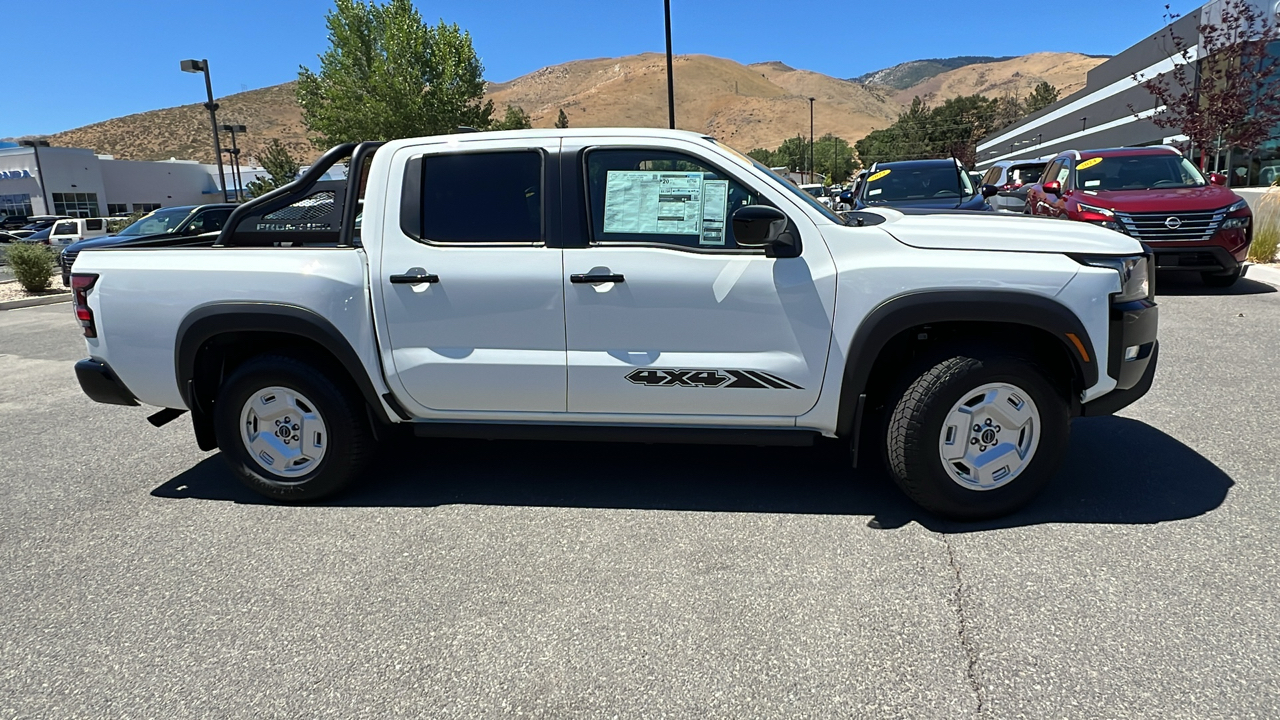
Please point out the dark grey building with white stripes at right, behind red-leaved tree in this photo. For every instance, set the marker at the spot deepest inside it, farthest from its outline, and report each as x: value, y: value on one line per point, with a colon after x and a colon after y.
x: 1114, y: 110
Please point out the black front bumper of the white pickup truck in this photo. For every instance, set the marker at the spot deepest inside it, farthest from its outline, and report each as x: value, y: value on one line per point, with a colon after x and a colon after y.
x: 1132, y: 356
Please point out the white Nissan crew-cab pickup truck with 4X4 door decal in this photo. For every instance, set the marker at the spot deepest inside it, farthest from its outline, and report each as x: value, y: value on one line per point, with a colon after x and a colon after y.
x: 621, y: 285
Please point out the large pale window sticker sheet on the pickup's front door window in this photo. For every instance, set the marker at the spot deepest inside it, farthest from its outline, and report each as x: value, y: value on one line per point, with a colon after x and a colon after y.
x: 655, y: 203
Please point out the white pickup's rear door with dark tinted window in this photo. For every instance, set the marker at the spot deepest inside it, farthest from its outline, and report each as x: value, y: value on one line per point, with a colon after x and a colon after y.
x: 472, y: 290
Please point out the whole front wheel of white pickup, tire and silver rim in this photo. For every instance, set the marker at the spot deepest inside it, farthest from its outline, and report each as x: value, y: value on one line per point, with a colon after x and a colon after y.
x: 973, y: 439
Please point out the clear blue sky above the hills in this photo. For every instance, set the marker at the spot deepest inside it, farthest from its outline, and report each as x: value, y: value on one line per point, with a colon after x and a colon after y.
x: 115, y: 58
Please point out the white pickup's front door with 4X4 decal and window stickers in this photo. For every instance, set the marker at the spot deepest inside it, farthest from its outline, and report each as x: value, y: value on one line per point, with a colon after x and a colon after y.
x: 668, y: 315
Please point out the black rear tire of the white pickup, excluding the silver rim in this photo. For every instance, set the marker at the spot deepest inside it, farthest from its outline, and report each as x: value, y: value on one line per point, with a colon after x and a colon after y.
x: 350, y: 440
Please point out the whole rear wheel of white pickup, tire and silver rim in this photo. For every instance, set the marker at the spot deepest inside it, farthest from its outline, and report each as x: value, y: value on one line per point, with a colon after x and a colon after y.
x: 289, y: 432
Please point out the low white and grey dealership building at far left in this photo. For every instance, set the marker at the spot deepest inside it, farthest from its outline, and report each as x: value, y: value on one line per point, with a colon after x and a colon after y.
x: 77, y: 183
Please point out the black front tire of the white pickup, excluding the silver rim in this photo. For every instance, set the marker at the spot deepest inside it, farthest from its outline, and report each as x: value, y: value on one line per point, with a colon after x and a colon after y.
x: 916, y: 426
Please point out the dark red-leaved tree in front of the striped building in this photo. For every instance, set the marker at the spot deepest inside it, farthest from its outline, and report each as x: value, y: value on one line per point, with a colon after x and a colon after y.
x: 1233, y: 95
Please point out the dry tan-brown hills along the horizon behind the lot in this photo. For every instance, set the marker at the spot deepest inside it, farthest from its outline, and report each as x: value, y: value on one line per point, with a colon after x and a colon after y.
x: 747, y: 107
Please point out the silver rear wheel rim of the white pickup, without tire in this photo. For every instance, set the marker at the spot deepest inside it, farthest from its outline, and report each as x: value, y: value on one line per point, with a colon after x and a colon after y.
x: 284, y: 432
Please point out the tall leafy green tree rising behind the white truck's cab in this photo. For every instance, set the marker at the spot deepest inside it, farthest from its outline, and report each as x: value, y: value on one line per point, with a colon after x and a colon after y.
x: 388, y: 75
